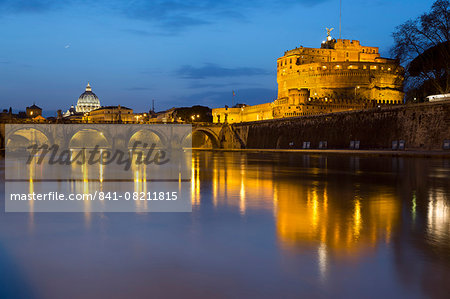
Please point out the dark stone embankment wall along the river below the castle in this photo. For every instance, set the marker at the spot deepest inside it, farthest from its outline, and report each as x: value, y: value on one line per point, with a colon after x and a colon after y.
x: 421, y: 126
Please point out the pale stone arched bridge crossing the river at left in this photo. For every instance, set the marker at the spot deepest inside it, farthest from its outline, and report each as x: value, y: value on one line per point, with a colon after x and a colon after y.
x: 112, y: 135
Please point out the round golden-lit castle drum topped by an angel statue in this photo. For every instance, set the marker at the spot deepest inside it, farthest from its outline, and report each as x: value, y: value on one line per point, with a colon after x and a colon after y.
x: 340, y: 69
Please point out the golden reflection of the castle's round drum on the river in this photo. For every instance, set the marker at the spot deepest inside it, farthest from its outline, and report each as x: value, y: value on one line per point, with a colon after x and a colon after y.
x: 344, y: 228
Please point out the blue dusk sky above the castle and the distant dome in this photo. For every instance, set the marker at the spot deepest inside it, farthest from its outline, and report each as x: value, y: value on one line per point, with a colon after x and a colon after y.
x: 180, y: 53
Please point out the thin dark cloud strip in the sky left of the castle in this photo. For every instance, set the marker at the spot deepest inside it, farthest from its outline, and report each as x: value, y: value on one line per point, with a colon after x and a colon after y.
x: 210, y: 70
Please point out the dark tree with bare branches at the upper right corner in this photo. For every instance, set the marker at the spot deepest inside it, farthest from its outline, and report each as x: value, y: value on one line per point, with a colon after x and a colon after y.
x: 423, y: 46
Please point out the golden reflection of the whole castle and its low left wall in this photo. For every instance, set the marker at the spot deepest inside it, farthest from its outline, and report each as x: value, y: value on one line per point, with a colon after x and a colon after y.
x: 345, y: 223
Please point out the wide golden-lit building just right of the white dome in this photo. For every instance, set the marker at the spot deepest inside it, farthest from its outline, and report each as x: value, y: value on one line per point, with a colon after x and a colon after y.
x: 110, y: 114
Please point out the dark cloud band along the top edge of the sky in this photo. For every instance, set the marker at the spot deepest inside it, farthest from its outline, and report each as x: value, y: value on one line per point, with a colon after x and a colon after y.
x: 170, y: 16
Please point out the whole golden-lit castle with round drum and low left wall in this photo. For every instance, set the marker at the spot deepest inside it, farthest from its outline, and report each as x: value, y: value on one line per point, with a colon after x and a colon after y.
x: 341, y: 75
